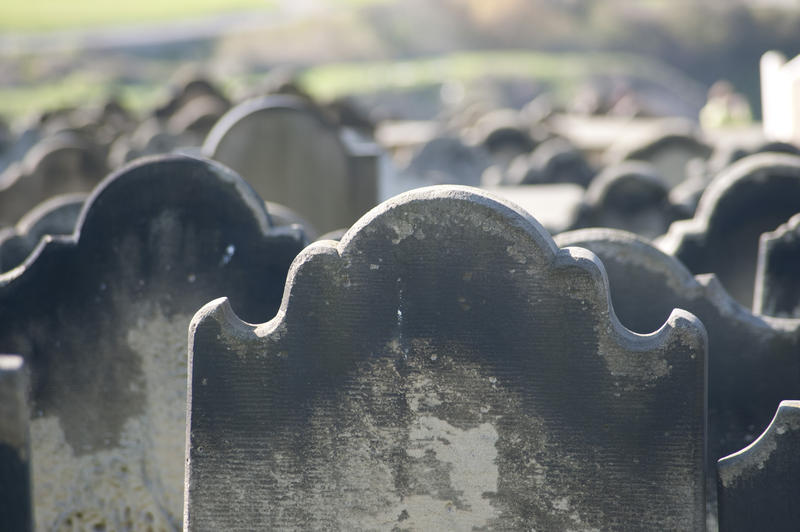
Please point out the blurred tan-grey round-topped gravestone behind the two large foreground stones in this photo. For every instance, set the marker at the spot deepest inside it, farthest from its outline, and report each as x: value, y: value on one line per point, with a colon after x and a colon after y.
x: 290, y: 153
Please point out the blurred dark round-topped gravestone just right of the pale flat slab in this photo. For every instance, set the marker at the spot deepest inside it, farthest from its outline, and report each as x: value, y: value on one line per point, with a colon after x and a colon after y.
x: 630, y: 196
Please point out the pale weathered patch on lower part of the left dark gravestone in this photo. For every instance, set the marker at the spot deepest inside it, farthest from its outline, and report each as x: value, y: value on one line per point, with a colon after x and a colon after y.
x: 137, y: 485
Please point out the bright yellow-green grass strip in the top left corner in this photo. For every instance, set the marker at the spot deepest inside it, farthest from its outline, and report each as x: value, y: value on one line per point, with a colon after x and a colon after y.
x: 43, y: 15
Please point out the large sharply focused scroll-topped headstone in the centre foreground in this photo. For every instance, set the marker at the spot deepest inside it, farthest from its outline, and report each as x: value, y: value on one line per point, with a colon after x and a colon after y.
x: 444, y: 367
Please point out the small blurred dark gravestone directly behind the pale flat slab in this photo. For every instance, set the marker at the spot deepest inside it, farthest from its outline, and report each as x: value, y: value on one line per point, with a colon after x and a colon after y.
x: 553, y: 161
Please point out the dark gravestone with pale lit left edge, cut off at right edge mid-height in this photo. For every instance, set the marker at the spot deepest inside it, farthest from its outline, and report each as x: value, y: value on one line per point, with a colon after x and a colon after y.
x: 777, y: 290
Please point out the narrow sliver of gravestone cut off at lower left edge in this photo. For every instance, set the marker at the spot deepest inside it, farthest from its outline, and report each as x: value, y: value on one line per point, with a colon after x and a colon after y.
x: 15, y: 486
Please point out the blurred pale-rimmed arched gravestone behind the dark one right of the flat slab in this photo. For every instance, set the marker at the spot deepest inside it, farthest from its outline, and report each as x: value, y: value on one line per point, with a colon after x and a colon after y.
x: 668, y: 150
